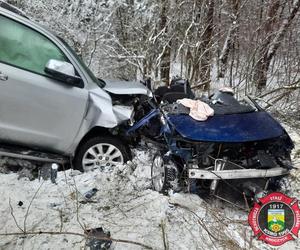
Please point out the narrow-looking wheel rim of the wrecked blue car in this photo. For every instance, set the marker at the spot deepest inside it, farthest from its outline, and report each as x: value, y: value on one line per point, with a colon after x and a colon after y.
x: 158, y: 173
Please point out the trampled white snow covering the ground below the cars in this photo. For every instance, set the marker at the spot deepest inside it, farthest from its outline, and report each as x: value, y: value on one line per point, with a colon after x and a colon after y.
x: 127, y: 207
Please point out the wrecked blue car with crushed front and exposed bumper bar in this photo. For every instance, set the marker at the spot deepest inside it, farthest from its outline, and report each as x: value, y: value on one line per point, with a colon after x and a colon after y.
x: 240, y: 147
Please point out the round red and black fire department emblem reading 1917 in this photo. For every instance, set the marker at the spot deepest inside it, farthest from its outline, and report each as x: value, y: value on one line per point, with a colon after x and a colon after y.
x: 275, y: 219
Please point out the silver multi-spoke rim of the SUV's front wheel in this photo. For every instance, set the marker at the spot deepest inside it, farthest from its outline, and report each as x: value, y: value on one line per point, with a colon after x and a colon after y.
x: 103, y: 156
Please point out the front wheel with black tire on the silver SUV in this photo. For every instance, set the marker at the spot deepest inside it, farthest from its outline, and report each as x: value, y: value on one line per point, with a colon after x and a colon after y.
x: 103, y: 153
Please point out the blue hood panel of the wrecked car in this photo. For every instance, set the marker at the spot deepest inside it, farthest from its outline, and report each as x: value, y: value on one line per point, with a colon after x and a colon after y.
x: 254, y: 126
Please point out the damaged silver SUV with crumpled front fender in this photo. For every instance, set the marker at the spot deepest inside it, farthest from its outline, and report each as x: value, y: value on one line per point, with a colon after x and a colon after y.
x: 51, y: 101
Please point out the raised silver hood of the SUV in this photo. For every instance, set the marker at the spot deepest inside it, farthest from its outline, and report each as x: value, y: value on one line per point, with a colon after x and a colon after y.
x: 126, y: 88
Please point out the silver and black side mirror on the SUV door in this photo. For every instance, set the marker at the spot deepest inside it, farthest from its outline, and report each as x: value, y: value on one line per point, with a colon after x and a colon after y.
x: 63, y: 71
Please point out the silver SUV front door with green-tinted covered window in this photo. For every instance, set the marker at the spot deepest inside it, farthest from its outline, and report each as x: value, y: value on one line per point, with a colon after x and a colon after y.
x: 35, y: 109
